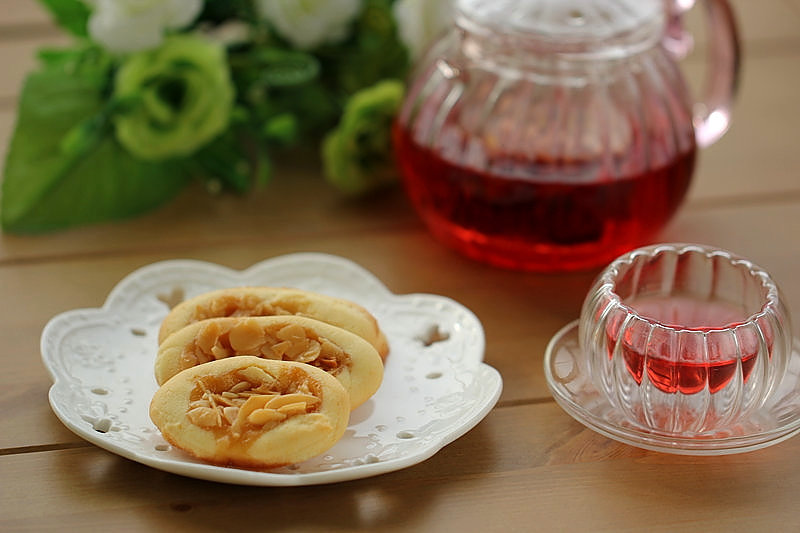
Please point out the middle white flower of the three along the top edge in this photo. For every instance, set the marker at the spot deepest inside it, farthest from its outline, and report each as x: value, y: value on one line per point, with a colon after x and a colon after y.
x: 309, y: 23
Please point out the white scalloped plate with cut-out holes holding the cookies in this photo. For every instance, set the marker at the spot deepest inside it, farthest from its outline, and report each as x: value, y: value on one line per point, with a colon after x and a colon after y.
x: 101, y: 362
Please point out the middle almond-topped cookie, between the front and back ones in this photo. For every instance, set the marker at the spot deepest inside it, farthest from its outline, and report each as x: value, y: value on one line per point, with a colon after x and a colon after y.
x: 348, y: 357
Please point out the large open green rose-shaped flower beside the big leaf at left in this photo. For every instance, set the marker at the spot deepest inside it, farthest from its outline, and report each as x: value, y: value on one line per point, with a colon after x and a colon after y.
x: 182, y: 98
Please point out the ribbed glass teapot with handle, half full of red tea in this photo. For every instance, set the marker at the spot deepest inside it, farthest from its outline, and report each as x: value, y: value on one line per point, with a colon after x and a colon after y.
x: 555, y: 135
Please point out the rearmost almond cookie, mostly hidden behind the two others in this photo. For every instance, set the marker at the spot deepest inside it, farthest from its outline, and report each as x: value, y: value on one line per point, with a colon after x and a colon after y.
x: 268, y: 301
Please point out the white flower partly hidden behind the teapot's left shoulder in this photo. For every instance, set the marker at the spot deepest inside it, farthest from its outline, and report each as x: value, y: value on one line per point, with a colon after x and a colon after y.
x: 419, y: 22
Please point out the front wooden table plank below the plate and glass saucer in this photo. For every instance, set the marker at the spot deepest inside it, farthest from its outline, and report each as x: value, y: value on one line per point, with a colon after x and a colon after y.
x: 507, y: 470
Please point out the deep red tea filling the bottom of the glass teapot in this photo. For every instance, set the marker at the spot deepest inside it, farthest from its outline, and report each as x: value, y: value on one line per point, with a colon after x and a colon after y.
x: 539, y: 224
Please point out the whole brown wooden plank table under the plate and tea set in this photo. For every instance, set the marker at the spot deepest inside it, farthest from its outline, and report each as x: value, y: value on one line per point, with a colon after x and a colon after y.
x: 527, y: 466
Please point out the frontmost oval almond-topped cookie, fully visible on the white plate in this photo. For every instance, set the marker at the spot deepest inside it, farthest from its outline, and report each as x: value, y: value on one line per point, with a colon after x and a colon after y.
x: 251, y: 412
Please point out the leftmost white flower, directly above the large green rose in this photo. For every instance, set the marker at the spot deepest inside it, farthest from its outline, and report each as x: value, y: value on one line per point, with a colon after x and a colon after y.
x: 132, y: 25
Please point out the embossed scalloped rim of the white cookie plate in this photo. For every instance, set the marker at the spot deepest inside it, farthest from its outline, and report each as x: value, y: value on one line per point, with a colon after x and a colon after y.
x: 373, y: 294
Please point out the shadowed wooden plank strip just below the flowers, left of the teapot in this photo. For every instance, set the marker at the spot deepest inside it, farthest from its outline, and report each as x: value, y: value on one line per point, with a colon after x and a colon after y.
x: 296, y: 202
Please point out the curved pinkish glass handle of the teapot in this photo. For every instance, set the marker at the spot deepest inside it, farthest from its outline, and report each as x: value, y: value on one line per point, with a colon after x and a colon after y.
x: 712, y: 114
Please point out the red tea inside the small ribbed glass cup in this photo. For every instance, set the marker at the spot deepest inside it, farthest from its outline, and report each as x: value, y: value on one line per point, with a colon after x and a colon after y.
x: 686, y: 376
